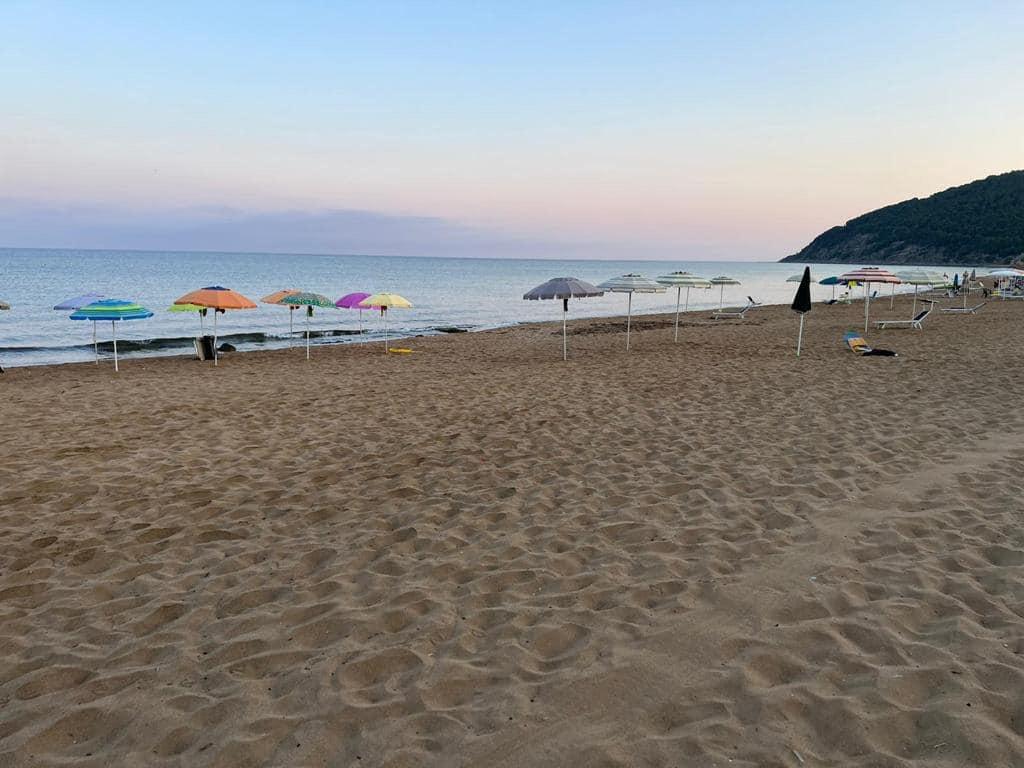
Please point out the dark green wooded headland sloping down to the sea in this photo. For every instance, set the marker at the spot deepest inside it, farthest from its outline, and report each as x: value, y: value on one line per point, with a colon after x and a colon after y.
x: 977, y: 224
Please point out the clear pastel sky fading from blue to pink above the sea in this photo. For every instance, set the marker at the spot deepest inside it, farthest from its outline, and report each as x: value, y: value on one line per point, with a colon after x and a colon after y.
x: 692, y: 131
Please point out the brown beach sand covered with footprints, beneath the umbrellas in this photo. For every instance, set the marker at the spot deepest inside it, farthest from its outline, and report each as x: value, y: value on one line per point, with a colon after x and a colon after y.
x: 703, y: 554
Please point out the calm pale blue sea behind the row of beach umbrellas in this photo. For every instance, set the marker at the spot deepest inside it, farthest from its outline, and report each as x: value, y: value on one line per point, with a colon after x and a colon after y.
x: 448, y: 294
